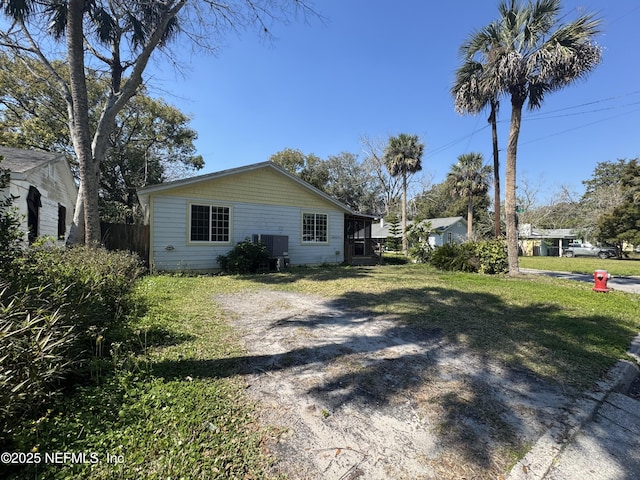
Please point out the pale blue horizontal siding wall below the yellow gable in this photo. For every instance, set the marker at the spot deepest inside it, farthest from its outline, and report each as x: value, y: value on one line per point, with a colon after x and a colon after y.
x: 171, y: 229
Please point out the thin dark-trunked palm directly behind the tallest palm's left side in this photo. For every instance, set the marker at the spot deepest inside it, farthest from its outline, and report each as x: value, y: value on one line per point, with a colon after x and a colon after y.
x: 472, y: 94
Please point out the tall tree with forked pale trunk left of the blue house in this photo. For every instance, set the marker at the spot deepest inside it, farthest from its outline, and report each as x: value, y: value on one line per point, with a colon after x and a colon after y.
x: 121, y: 36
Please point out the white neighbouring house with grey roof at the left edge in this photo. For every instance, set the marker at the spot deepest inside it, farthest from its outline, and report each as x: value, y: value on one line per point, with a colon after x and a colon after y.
x: 45, y: 189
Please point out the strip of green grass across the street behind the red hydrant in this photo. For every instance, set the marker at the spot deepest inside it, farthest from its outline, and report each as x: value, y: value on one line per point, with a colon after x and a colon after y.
x: 624, y: 267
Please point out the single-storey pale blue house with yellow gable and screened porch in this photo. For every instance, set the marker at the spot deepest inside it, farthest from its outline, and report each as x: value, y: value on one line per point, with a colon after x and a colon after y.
x: 193, y: 221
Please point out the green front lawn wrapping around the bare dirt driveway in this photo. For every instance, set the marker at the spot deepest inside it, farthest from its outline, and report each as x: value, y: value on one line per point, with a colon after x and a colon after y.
x: 167, y: 413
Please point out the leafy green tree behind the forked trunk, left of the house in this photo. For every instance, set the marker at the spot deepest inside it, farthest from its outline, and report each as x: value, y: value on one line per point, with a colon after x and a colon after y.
x: 150, y: 142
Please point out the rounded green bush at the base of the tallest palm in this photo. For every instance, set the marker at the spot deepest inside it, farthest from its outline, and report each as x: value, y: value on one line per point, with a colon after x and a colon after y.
x: 488, y: 256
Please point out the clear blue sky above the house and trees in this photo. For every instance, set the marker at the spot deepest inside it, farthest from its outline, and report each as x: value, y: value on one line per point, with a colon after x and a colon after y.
x: 379, y: 68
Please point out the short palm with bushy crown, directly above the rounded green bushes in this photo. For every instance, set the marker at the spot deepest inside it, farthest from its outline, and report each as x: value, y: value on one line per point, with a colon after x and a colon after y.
x: 469, y: 179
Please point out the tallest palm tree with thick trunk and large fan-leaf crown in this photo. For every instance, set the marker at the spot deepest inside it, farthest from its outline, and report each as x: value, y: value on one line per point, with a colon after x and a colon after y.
x: 527, y: 54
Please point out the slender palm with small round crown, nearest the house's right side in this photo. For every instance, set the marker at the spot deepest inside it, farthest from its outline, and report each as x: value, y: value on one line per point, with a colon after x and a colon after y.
x: 403, y: 156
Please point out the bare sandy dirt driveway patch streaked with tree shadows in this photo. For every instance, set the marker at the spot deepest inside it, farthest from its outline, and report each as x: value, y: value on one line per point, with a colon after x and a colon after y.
x: 353, y: 395
